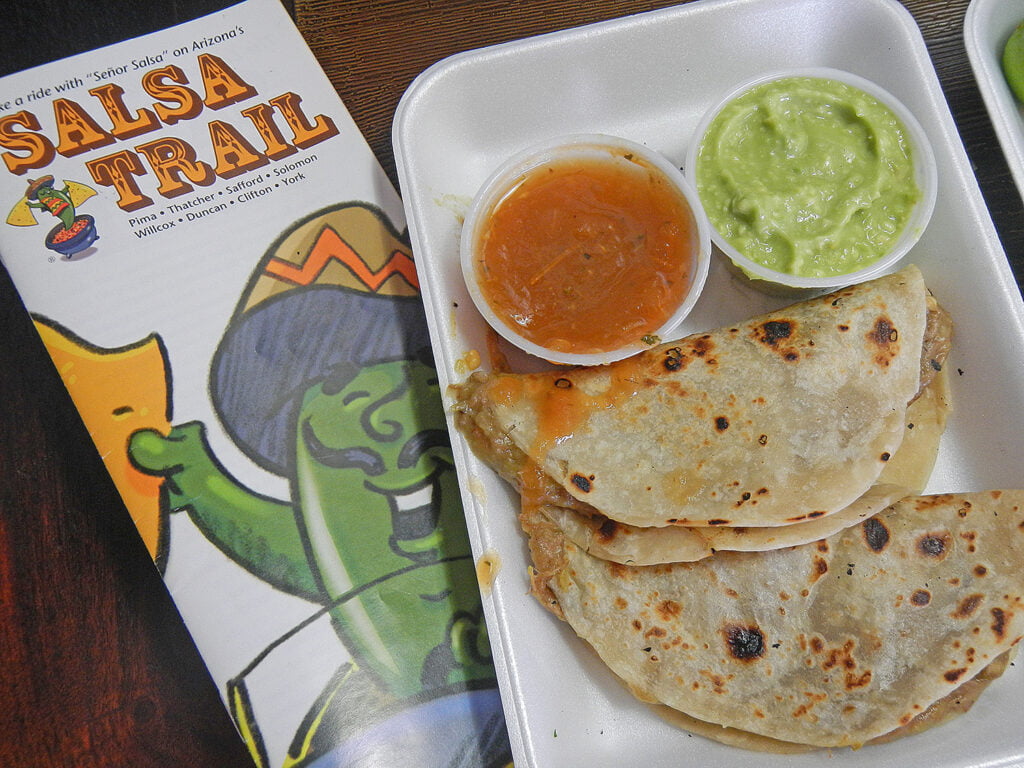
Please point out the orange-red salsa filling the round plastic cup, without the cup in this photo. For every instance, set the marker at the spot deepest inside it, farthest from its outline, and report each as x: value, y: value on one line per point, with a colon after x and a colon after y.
x: 588, y: 254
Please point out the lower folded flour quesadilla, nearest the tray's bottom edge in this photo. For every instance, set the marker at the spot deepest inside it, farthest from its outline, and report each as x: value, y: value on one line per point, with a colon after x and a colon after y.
x: 870, y: 632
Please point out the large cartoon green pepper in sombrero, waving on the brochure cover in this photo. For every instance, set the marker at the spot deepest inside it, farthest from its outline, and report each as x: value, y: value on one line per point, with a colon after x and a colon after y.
x: 325, y: 377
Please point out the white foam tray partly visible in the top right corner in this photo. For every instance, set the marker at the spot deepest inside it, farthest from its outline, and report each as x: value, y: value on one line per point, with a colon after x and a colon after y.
x: 987, y: 29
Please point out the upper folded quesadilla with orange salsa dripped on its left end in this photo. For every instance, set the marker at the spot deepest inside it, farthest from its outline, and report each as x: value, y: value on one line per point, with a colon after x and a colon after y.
x: 783, y: 419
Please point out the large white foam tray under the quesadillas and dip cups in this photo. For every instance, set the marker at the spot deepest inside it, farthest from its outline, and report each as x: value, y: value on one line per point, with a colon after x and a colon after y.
x: 650, y: 78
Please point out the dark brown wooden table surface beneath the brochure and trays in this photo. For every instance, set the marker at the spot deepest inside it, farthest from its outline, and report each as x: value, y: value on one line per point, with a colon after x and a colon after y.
x: 96, y: 666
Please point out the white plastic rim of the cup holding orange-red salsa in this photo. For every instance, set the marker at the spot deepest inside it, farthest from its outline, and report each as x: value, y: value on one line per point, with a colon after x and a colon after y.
x: 560, y: 150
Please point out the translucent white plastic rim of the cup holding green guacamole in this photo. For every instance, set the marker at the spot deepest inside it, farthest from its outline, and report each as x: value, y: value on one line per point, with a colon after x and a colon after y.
x: 925, y: 176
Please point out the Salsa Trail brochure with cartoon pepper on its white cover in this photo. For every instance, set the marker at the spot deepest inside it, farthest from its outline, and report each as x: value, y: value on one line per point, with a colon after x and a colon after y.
x: 221, y: 272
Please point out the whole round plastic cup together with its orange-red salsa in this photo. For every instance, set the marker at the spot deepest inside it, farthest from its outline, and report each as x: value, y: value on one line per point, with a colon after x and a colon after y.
x: 586, y: 249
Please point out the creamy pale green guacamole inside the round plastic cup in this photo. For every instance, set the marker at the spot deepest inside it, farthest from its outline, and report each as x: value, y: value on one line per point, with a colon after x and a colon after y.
x: 808, y: 177
